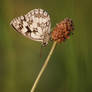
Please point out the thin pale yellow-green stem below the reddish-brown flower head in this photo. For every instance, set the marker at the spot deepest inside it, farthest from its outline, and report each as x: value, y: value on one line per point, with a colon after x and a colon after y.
x: 43, y: 67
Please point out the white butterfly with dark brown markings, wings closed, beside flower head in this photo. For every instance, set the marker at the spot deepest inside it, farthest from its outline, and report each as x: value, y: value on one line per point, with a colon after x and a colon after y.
x: 34, y: 25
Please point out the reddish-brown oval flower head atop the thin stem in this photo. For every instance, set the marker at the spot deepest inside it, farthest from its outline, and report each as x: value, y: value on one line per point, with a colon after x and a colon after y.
x: 62, y: 30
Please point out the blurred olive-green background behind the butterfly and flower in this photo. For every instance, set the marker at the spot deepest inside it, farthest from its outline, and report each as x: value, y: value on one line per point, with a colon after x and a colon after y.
x: 70, y: 67
